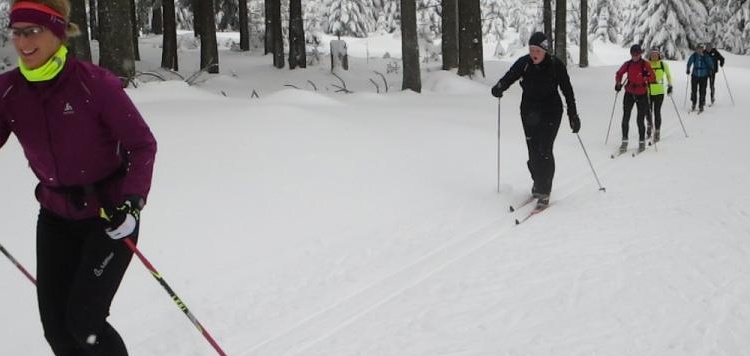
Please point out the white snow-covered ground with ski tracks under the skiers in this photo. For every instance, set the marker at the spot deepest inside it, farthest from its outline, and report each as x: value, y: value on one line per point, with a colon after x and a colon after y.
x: 312, y: 222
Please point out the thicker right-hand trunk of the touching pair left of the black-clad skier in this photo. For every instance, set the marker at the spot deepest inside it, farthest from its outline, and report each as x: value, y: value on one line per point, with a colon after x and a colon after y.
x: 470, y: 38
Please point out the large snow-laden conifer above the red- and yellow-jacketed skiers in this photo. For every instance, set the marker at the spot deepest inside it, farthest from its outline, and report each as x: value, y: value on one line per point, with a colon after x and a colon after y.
x: 672, y: 26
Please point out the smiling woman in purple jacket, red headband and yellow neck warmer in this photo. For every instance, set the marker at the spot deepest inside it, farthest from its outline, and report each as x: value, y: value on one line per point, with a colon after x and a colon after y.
x: 93, y: 155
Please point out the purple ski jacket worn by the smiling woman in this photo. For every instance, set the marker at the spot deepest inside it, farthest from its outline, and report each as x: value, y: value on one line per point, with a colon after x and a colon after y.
x: 83, y: 137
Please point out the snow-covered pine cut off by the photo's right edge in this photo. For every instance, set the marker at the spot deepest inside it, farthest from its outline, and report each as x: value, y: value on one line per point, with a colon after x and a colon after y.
x: 735, y: 36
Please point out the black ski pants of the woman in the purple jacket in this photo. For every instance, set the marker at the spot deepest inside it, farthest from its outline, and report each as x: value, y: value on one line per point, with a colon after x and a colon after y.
x: 79, y: 269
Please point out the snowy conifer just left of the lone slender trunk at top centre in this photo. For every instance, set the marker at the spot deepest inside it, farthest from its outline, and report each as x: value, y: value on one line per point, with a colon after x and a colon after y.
x: 348, y: 17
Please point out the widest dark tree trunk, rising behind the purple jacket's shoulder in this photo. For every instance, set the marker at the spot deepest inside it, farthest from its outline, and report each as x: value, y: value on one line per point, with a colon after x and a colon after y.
x: 116, y: 38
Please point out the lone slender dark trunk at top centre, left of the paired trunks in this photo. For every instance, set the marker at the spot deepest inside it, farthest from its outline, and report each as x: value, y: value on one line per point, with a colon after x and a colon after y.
x: 410, y: 47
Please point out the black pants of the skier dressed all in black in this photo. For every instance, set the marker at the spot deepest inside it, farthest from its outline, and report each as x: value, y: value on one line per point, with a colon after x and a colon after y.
x: 541, y: 129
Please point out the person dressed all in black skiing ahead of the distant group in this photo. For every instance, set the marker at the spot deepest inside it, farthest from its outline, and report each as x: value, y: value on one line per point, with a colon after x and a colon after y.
x: 541, y: 75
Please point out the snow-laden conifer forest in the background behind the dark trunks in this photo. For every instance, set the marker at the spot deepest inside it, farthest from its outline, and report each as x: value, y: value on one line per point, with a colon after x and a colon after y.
x: 669, y: 24
